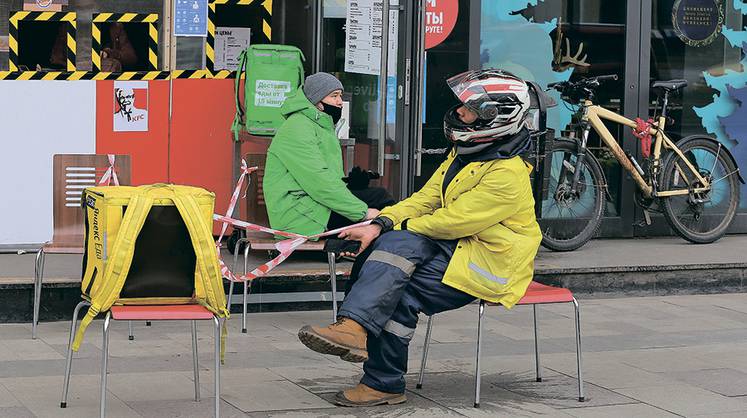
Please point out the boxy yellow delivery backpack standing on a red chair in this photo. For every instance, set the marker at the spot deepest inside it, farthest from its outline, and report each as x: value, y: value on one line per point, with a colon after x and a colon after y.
x: 149, y: 245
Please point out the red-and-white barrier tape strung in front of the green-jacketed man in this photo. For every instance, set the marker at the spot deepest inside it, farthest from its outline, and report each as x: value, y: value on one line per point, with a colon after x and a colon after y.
x: 285, y: 247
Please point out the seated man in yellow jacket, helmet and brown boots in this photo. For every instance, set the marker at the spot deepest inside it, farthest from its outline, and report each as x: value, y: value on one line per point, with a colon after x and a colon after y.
x: 469, y: 233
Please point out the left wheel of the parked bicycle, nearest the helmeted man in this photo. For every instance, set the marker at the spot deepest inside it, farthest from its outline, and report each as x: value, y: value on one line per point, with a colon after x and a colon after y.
x: 568, y: 221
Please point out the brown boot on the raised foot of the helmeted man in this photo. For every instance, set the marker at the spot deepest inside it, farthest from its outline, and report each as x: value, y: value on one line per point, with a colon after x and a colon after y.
x: 345, y: 338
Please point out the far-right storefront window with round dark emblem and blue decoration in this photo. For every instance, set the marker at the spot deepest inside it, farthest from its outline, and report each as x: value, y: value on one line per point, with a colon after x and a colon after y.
x: 702, y: 42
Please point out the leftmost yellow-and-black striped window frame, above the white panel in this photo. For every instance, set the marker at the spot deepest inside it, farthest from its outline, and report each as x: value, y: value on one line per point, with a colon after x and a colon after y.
x: 14, y: 35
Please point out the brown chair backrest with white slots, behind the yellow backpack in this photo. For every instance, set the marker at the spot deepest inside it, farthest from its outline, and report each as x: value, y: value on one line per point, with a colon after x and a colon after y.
x: 71, y: 174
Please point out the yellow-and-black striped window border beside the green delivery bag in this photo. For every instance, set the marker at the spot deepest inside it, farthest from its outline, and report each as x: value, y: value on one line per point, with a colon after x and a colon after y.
x: 259, y: 8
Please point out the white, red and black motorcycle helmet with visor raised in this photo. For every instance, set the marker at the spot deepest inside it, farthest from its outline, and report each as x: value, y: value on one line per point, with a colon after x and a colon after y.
x: 500, y: 99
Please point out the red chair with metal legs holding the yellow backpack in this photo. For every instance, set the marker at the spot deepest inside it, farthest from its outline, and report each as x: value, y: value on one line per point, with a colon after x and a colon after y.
x: 191, y: 313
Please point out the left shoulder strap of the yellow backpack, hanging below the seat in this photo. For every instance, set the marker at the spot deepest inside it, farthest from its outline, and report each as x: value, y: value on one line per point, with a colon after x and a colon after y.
x: 118, y: 265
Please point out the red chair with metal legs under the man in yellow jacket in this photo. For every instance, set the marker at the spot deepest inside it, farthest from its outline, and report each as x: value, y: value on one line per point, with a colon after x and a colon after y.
x: 536, y: 294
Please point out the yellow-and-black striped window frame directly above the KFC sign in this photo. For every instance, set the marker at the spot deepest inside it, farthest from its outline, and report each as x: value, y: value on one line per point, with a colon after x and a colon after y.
x: 98, y: 23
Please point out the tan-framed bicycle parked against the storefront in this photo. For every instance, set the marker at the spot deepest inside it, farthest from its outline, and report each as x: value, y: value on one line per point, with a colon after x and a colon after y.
x: 693, y: 182
